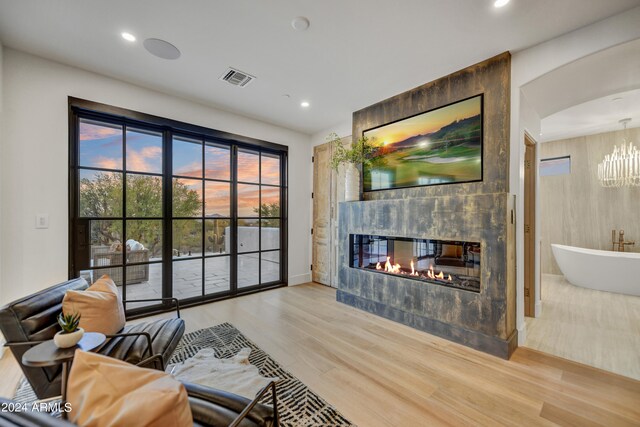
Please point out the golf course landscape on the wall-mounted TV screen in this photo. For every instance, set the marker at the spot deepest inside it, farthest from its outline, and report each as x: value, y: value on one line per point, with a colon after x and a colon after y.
x: 437, y: 147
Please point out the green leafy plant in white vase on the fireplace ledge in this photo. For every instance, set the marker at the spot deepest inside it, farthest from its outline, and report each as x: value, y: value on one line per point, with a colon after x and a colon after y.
x: 364, y: 152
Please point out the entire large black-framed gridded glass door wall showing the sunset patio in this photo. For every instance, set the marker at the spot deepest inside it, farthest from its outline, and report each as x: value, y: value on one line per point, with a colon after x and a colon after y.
x: 169, y: 209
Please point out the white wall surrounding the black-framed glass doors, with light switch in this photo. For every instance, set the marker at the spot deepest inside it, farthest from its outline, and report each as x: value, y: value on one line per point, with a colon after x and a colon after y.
x: 34, y: 164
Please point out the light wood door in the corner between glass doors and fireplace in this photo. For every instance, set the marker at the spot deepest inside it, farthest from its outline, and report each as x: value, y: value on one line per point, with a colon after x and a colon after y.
x: 322, y: 202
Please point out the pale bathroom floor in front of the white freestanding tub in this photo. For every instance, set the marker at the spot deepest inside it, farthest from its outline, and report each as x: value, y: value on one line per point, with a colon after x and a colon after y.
x: 600, y: 329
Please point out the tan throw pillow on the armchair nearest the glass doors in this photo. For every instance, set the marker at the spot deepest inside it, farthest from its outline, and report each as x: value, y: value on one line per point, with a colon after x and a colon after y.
x: 100, y: 307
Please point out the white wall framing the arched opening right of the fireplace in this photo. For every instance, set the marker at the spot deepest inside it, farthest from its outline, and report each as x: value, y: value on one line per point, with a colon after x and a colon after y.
x: 528, y: 65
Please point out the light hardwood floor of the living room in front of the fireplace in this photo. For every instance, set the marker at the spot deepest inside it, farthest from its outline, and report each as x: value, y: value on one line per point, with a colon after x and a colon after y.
x: 380, y: 373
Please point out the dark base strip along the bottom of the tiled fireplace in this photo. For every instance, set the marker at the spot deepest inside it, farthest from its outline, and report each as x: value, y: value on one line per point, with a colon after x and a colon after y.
x: 492, y: 345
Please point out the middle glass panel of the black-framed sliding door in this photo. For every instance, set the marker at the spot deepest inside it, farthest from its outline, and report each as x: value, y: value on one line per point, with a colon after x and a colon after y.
x: 202, y: 221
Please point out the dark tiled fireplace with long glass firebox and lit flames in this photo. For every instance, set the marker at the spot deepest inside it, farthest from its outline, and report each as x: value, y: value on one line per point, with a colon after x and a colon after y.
x: 465, y: 237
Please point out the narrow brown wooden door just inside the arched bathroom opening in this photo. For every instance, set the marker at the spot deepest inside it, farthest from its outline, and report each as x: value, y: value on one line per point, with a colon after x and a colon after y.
x: 530, y: 174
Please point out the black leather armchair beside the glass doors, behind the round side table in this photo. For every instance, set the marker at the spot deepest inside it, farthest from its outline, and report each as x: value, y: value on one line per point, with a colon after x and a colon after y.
x: 32, y: 319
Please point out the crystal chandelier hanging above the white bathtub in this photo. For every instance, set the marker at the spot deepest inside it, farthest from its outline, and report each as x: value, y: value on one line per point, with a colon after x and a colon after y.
x: 621, y: 168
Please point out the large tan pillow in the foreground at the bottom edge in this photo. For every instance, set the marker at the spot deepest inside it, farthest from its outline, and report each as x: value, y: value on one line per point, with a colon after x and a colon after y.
x: 104, y: 392
